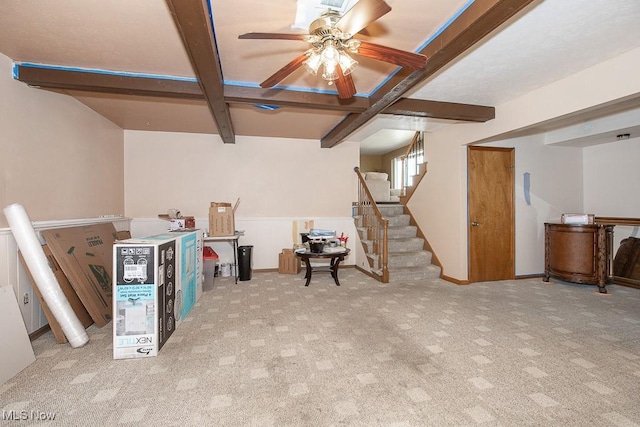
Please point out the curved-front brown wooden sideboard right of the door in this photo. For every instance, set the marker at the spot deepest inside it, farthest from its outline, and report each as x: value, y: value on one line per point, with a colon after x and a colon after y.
x: 579, y: 253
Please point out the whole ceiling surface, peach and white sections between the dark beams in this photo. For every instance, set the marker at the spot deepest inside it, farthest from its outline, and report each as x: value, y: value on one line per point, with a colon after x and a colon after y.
x: 549, y: 40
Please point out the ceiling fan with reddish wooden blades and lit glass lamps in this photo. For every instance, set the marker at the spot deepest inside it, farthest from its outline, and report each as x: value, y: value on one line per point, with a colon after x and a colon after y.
x: 332, y: 41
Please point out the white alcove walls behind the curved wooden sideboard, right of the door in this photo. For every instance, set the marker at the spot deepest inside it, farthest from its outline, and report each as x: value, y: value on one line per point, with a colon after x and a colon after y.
x: 597, y: 179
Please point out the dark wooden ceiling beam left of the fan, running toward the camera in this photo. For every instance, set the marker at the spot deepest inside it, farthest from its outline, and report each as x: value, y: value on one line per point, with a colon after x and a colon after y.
x: 196, y: 30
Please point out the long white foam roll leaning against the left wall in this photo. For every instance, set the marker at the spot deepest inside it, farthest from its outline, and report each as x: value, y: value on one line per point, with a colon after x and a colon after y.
x: 46, y: 281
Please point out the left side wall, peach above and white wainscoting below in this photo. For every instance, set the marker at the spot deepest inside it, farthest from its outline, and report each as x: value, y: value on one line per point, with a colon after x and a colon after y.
x: 58, y: 159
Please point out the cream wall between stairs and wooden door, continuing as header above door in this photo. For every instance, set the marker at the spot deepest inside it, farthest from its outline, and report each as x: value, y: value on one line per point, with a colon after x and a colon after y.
x: 439, y: 203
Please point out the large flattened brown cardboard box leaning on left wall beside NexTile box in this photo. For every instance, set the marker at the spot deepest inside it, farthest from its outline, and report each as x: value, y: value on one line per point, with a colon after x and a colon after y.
x: 85, y: 255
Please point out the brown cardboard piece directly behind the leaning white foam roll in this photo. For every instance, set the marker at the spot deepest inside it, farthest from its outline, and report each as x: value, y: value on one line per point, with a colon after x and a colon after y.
x: 69, y: 293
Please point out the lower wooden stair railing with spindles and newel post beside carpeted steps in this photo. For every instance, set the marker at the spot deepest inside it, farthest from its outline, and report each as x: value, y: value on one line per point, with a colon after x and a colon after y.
x: 375, y: 225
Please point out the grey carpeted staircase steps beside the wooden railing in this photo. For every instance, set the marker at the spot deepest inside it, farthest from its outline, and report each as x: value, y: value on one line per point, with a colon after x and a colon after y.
x: 407, y: 260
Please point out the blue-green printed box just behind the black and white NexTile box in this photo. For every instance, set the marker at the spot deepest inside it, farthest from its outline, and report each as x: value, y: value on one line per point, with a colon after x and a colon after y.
x: 189, y: 269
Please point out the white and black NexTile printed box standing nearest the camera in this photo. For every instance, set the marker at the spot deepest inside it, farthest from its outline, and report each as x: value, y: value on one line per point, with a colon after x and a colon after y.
x: 143, y: 296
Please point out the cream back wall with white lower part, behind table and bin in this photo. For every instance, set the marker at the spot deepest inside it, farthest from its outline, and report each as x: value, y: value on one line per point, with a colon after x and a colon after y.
x: 280, y: 182
